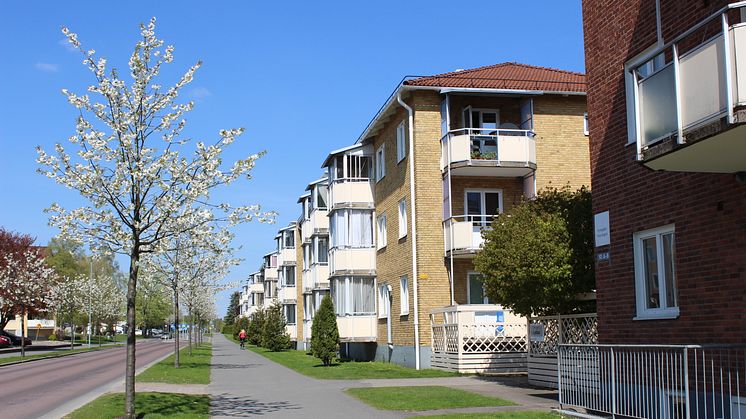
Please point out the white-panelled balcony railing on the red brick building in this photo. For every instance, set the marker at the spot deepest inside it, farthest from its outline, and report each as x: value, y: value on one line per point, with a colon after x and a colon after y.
x: 688, y: 82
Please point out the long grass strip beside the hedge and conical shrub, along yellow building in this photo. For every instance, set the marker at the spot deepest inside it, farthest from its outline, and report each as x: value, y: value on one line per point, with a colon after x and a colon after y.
x: 313, y: 367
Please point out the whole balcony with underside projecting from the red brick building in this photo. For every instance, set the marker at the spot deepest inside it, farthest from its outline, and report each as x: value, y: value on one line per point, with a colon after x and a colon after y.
x: 690, y: 97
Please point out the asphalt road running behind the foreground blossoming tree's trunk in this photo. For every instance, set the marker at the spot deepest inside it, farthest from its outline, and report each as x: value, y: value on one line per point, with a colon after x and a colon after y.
x: 32, y: 389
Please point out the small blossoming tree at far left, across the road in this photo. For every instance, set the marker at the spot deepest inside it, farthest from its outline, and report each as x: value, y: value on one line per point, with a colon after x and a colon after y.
x: 25, y: 281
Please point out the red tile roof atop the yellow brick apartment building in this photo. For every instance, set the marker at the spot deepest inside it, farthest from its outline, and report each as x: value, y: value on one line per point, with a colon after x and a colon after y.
x: 509, y: 76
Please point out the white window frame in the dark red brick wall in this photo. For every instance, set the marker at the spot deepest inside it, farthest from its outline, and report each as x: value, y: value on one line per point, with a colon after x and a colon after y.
x: 665, y: 311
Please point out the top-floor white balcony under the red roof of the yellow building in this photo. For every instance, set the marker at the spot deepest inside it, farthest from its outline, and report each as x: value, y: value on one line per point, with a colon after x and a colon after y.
x: 488, y: 152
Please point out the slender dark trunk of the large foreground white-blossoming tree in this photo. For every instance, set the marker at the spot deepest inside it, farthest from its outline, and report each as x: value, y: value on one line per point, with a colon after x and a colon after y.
x: 129, y: 381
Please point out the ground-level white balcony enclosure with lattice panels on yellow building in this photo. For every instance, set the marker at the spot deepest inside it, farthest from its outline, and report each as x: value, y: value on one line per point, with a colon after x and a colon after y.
x: 478, y: 338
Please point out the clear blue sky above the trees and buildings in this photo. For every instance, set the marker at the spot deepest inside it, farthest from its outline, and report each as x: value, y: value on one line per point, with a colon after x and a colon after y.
x: 302, y: 77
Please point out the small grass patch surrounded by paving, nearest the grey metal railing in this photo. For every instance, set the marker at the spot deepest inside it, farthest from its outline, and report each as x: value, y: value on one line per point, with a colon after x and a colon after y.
x: 423, y: 398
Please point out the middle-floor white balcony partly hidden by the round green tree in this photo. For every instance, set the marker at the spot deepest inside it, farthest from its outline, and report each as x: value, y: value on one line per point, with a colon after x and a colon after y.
x: 463, y: 234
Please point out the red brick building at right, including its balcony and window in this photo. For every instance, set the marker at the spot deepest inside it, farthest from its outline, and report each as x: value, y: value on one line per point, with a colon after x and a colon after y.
x: 685, y: 282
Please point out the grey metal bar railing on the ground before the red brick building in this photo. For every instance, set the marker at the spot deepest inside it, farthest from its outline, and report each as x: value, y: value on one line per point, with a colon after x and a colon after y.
x: 654, y: 381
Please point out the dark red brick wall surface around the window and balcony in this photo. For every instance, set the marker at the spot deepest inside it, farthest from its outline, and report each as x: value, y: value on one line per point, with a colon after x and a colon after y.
x: 708, y: 210
